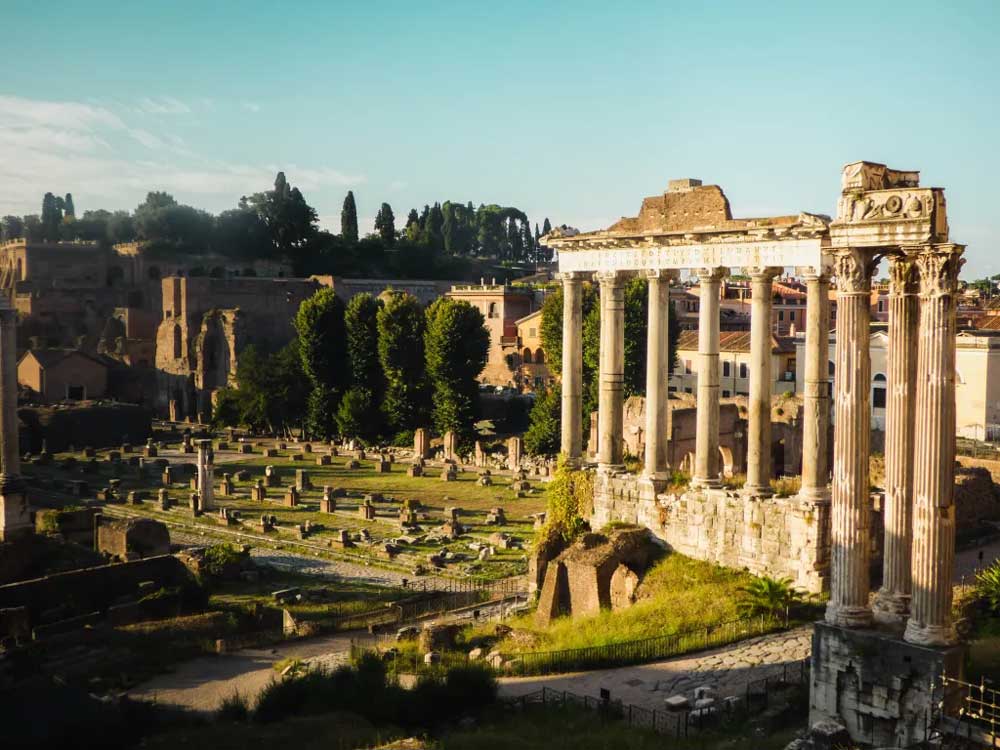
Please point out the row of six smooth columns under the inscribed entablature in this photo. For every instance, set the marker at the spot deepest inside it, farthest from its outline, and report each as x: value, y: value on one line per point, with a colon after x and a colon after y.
x: 707, y: 465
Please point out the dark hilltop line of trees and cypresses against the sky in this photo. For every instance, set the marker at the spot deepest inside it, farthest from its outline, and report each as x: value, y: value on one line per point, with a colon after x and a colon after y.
x: 450, y: 239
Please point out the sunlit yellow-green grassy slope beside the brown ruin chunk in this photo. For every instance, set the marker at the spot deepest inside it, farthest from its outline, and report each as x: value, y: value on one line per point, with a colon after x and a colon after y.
x: 676, y: 594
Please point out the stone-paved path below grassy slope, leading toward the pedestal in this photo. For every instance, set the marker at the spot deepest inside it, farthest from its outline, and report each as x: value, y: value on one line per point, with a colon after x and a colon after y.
x: 727, y: 670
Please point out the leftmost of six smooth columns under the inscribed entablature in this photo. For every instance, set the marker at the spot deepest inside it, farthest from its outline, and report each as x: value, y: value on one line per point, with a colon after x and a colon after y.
x: 572, y: 367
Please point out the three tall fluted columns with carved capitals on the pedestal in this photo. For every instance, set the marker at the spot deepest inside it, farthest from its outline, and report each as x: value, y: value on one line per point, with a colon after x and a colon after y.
x: 919, y: 552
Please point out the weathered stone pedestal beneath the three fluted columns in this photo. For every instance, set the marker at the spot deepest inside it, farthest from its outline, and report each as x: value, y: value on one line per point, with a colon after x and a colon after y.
x: 886, y: 692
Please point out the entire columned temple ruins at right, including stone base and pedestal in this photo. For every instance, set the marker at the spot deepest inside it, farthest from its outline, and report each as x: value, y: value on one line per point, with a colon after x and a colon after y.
x: 874, y: 667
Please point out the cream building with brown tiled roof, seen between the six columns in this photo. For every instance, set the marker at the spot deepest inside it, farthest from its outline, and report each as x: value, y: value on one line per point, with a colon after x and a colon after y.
x: 734, y: 364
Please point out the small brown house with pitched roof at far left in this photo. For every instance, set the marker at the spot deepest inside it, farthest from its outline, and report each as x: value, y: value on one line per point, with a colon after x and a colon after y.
x: 52, y: 375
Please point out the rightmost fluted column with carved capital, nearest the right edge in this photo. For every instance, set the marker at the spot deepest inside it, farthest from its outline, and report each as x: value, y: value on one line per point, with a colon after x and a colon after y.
x: 933, y: 558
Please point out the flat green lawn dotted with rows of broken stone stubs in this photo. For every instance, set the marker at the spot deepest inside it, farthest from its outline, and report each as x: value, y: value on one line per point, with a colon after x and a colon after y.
x: 395, y: 486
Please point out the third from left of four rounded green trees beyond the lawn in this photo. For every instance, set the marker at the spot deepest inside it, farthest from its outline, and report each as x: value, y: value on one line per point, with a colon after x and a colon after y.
x: 401, y: 354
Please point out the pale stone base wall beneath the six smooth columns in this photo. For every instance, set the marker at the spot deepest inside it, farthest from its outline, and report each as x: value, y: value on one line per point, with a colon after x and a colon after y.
x: 779, y: 537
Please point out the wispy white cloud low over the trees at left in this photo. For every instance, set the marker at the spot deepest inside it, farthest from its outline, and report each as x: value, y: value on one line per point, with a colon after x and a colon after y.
x: 107, y: 160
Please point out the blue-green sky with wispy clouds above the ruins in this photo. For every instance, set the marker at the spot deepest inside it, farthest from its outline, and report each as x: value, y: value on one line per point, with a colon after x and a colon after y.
x: 570, y: 110
